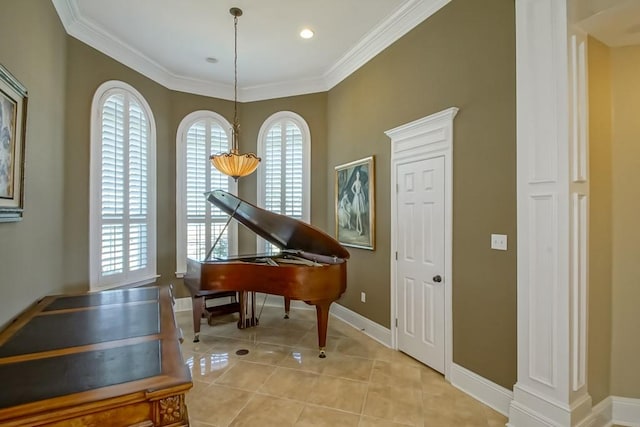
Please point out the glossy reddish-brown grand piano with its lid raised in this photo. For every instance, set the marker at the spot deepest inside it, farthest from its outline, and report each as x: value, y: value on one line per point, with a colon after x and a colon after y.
x: 311, y: 266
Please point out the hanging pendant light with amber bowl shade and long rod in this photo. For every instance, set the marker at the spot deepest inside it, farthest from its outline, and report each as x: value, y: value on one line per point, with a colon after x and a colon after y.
x: 233, y: 163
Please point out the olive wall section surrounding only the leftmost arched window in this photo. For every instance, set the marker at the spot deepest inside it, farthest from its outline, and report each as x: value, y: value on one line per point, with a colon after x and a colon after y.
x: 87, y: 70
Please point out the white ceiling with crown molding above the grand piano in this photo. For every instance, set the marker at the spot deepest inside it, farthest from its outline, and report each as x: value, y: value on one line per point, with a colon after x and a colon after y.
x: 169, y: 40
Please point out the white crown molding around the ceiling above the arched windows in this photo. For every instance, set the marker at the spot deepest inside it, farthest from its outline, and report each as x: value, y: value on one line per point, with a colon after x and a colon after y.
x: 412, y: 13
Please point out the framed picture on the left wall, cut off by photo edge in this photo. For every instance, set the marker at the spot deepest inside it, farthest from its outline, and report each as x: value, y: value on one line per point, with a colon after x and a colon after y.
x: 13, y: 119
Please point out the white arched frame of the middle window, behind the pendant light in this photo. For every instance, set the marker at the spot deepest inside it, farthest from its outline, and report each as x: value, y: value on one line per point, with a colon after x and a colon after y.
x: 181, y: 182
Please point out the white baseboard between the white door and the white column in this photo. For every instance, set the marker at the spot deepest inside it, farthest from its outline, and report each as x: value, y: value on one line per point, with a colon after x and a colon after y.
x: 480, y: 388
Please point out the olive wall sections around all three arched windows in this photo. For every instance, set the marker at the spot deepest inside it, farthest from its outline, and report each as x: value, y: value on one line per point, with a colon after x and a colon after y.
x: 87, y: 69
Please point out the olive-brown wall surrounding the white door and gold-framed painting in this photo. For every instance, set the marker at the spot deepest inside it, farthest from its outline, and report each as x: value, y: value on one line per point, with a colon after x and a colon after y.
x: 463, y: 56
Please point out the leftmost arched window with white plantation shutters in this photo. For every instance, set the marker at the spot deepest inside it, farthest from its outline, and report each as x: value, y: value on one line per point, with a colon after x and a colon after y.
x: 123, y: 188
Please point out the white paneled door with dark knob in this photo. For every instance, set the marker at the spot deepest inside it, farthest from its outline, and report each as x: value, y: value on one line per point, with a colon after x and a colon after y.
x: 420, y: 282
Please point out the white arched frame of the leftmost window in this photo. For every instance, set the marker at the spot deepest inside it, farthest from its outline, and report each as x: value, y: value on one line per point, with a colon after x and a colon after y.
x: 149, y: 273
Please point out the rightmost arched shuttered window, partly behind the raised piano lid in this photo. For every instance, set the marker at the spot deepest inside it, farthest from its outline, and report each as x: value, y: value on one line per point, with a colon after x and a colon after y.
x: 284, y: 144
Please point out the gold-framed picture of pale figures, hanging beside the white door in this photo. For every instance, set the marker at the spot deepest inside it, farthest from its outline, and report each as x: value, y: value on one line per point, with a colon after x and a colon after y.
x: 355, y: 204
